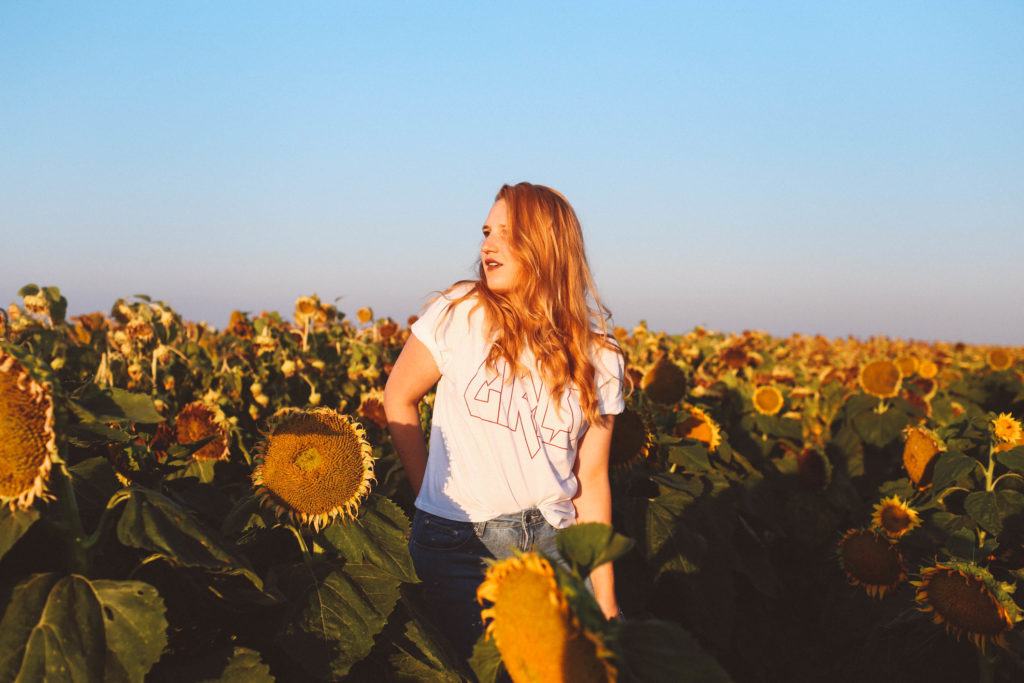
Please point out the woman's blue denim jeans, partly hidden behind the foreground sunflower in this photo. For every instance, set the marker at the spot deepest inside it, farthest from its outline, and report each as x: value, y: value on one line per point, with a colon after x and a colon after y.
x: 448, y: 557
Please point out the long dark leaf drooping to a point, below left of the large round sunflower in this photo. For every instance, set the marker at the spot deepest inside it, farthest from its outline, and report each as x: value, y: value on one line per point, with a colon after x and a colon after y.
x: 154, y: 523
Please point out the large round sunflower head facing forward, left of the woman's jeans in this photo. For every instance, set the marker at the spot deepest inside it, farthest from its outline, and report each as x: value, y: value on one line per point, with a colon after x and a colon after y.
x: 315, y: 465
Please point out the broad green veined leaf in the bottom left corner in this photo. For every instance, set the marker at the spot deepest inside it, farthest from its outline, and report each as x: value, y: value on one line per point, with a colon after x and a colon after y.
x: 71, y: 629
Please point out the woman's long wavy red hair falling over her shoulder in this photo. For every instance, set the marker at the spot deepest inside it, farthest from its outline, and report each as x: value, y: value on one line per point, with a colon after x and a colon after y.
x: 548, y: 311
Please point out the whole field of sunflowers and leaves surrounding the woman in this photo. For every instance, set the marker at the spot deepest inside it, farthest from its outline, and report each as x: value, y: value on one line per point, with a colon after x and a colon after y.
x: 188, y: 504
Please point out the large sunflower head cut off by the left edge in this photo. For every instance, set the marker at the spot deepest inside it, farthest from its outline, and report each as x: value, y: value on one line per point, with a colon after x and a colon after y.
x: 28, y: 441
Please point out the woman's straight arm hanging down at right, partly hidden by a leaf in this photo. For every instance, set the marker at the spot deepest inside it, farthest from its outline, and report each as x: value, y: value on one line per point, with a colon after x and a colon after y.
x: 593, y: 503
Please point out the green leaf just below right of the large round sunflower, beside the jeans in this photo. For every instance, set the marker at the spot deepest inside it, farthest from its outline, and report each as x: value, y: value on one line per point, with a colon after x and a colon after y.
x: 379, y: 535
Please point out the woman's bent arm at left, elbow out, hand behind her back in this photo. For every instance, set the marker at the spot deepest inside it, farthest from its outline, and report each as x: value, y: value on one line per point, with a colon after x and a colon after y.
x: 414, y: 374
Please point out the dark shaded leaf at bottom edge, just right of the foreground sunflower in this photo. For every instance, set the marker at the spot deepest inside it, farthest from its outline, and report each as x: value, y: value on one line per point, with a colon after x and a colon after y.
x: 653, y: 651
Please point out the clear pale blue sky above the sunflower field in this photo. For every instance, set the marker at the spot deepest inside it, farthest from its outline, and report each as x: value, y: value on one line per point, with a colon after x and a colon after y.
x: 821, y: 167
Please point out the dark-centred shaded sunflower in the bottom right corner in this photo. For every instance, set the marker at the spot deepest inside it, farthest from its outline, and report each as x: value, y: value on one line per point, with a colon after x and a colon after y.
x: 968, y: 601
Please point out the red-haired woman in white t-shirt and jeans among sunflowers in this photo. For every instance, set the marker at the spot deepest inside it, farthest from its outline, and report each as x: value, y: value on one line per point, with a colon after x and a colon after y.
x: 528, y: 390
